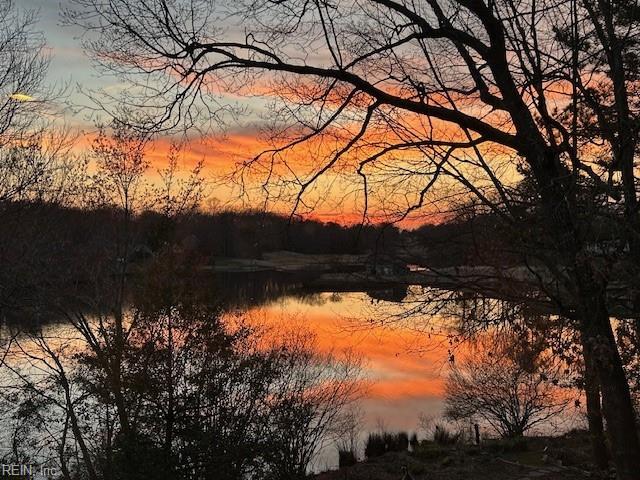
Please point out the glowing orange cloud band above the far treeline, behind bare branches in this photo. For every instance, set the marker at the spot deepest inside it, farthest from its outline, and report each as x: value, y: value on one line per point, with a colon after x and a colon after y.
x: 337, y: 194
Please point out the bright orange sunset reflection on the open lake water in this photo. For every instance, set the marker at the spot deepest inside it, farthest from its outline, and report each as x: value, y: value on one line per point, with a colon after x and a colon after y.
x: 404, y: 367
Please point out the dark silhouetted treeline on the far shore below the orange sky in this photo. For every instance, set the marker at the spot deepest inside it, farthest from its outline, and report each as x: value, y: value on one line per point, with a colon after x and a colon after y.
x: 52, y: 231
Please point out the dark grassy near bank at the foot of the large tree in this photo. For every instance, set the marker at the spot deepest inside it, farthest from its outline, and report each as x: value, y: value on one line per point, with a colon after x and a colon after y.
x: 544, y: 458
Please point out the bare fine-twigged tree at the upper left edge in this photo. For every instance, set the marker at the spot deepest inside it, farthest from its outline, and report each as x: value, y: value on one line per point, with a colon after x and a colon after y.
x: 36, y: 164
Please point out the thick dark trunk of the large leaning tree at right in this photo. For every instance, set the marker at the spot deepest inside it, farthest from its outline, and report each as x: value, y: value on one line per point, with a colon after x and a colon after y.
x: 589, y: 288
